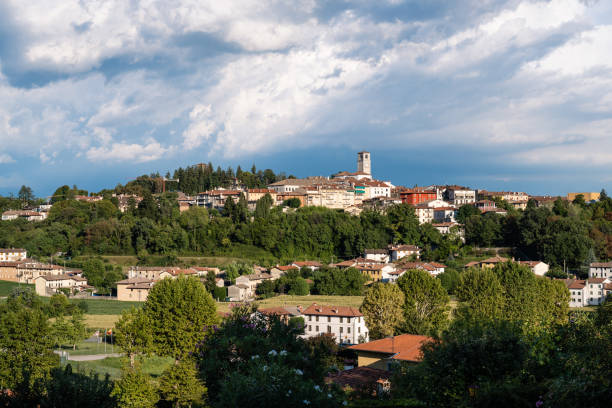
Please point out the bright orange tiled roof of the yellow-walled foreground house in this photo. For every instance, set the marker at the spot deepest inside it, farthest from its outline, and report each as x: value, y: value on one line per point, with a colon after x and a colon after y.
x: 406, y: 347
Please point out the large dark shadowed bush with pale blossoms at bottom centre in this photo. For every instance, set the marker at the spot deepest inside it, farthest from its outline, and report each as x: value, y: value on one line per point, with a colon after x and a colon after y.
x: 257, y: 360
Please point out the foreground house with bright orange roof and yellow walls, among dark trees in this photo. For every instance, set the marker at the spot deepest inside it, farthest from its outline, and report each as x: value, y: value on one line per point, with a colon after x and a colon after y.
x: 381, y: 354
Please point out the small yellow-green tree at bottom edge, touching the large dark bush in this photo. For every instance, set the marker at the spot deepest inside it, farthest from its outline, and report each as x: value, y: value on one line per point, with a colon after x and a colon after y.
x: 180, y: 386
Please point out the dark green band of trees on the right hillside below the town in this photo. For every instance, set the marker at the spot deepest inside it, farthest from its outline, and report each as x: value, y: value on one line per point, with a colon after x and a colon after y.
x: 571, y: 233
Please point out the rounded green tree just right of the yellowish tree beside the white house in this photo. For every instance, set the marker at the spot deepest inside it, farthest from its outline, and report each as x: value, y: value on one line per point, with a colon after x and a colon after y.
x: 425, y: 304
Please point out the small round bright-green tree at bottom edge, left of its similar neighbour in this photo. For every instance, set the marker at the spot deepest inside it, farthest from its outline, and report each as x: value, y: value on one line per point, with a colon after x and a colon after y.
x: 134, y: 390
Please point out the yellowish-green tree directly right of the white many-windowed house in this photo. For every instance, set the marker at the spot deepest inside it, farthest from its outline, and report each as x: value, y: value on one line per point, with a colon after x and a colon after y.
x: 383, y: 308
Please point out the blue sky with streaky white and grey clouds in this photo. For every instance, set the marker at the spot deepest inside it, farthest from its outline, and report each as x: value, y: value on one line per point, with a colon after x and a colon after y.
x: 495, y: 94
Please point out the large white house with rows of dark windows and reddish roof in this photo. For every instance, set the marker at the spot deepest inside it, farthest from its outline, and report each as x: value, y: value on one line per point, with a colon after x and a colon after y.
x: 345, y: 324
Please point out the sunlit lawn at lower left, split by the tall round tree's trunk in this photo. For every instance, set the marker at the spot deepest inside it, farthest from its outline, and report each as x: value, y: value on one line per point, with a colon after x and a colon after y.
x: 153, y: 366
